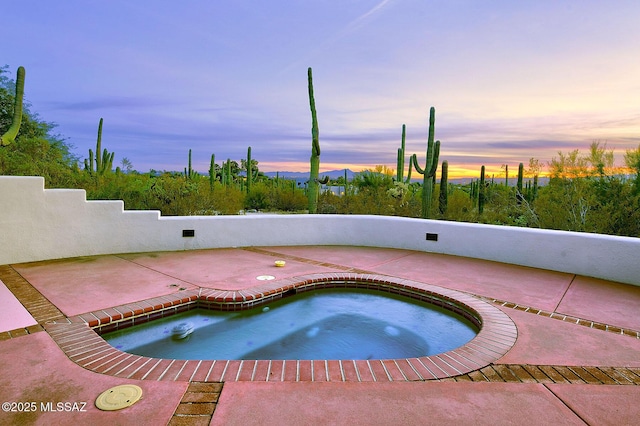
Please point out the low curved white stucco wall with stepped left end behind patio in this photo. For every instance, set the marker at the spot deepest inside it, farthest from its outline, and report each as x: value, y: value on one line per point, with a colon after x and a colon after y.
x: 39, y: 224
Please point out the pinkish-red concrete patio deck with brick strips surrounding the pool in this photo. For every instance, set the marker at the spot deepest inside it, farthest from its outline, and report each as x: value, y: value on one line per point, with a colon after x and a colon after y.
x: 576, y: 359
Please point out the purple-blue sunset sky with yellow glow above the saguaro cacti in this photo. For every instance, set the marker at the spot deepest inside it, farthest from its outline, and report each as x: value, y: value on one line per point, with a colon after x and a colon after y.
x: 510, y: 80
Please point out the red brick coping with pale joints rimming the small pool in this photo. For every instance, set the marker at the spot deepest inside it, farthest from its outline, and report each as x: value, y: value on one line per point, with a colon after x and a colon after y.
x: 79, y: 337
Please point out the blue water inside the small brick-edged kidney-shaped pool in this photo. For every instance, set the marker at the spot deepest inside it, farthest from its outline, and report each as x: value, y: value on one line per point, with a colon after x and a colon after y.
x: 319, y: 324
